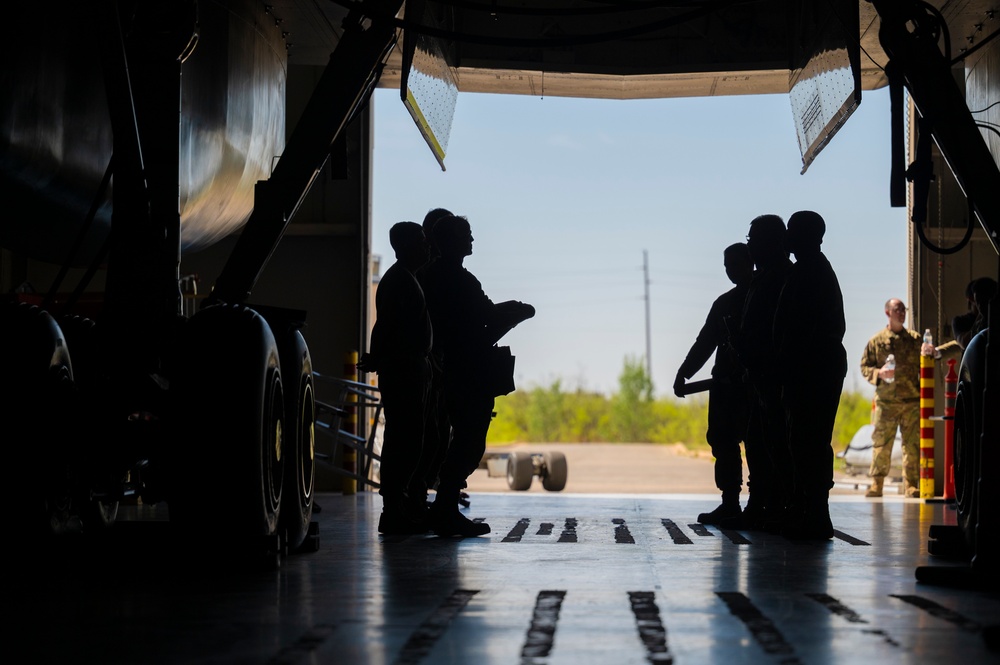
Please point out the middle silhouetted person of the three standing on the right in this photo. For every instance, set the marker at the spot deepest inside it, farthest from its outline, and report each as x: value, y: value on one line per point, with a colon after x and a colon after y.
x: 768, y: 458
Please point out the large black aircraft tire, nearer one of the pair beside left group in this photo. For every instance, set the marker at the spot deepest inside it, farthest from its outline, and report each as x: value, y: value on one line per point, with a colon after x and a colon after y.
x: 226, y: 466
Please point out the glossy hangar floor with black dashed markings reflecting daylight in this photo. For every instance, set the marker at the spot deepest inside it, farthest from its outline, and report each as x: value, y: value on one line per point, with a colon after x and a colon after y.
x: 572, y: 579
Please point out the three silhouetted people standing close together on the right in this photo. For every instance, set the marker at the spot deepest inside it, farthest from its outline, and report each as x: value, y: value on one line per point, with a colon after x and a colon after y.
x: 776, y: 383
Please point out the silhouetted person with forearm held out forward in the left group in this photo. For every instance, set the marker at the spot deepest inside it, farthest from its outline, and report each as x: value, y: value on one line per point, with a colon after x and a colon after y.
x: 466, y: 325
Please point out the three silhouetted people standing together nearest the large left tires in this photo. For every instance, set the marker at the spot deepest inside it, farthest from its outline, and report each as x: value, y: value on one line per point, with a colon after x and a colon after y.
x: 433, y: 346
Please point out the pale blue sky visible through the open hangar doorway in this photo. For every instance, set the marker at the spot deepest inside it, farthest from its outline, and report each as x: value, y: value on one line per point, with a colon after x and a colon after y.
x: 564, y: 195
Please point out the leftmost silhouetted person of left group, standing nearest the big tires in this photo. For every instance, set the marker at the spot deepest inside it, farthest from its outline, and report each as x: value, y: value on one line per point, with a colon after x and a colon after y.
x: 399, y: 353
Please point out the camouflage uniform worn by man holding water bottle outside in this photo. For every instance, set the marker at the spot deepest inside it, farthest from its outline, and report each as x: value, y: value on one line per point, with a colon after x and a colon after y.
x: 897, y: 404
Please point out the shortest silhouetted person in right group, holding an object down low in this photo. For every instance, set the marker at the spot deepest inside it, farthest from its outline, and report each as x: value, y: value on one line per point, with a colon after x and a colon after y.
x: 728, y: 404
